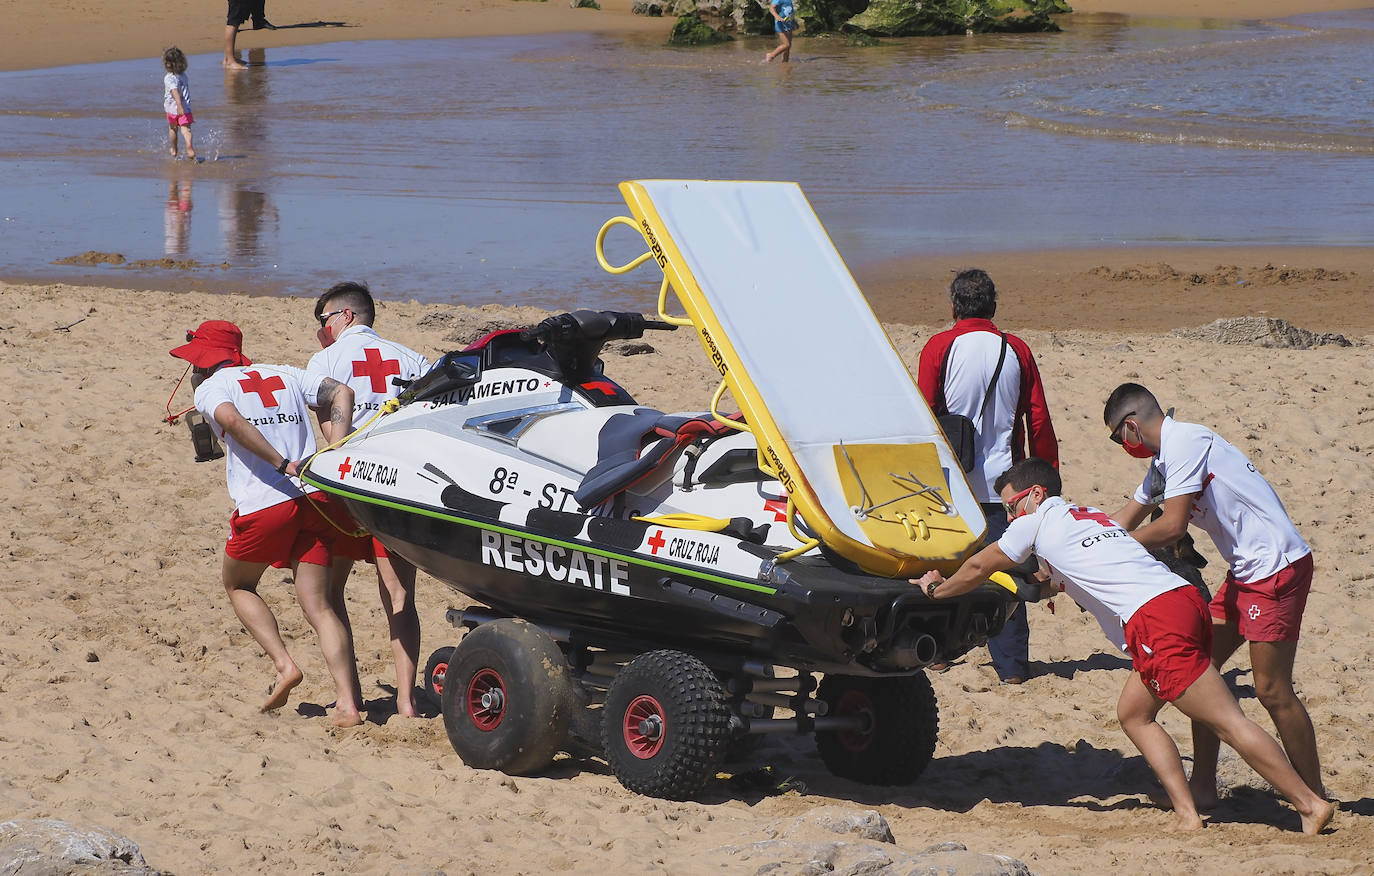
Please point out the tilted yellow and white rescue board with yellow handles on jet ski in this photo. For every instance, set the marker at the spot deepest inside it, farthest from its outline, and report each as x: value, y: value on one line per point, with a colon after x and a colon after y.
x: 836, y: 414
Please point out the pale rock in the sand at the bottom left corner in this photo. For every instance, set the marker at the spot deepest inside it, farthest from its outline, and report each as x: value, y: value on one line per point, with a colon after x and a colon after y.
x: 53, y: 848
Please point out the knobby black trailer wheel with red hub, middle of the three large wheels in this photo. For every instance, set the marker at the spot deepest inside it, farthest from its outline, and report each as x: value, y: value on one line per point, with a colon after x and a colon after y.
x: 667, y: 726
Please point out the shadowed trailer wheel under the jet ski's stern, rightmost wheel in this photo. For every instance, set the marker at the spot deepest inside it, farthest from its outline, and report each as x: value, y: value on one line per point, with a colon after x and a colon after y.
x: 899, y: 738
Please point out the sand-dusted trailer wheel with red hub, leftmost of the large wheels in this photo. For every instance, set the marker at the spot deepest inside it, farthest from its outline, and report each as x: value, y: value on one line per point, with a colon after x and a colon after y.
x: 508, y: 698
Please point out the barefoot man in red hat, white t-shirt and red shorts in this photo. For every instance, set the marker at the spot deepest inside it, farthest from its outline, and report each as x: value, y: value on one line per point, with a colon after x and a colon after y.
x: 263, y: 418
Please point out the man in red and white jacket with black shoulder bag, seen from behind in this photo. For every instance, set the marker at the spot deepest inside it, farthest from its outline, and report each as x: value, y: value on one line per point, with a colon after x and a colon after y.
x: 991, y: 378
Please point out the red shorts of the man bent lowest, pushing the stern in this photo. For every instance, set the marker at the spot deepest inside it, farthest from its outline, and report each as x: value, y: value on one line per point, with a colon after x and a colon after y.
x: 1171, y: 642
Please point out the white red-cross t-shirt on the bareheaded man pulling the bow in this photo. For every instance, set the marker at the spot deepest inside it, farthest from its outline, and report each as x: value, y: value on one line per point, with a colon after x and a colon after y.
x: 368, y: 363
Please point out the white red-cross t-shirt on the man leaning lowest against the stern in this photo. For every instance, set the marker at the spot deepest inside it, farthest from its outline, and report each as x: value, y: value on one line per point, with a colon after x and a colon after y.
x: 1097, y: 562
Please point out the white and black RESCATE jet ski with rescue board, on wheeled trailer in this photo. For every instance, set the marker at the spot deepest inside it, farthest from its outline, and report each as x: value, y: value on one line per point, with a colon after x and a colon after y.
x: 656, y: 586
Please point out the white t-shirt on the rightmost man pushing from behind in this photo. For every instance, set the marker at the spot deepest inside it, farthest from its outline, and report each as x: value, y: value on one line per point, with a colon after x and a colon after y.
x: 1237, y: 509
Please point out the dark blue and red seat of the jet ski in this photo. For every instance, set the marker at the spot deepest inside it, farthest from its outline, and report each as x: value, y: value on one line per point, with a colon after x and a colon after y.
x: 634, y: 447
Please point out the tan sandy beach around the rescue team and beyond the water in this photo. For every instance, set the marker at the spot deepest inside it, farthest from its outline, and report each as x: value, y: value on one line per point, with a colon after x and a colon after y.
x: 128, y: 691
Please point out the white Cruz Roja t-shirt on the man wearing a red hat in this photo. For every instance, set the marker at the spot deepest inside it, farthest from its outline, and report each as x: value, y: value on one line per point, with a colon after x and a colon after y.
x: 277, y: 400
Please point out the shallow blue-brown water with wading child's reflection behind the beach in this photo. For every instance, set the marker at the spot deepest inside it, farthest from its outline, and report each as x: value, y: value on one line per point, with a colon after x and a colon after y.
x: 479, y: 171
